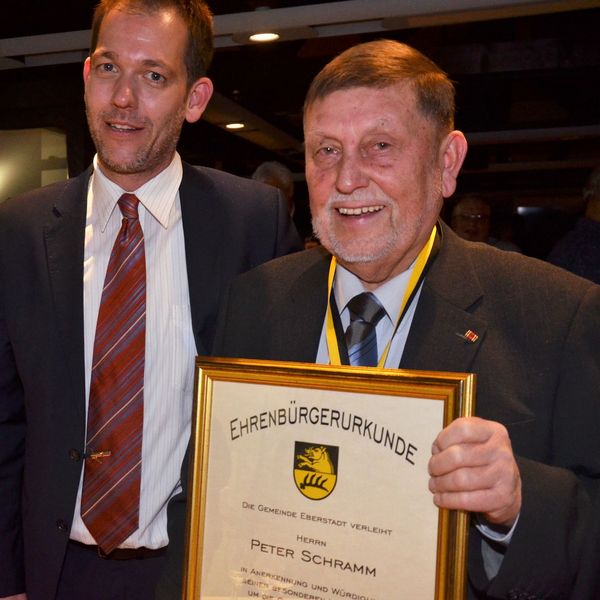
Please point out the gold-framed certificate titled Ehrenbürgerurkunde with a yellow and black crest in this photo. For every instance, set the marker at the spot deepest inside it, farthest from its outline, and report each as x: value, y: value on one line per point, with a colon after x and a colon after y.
x: 310, y: 481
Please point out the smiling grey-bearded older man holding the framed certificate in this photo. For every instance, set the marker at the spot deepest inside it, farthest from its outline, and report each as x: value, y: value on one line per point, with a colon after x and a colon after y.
x: 381, y: 156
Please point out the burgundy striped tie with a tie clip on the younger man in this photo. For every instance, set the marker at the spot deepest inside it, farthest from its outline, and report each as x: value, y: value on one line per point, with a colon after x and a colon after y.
x: 111, y: 484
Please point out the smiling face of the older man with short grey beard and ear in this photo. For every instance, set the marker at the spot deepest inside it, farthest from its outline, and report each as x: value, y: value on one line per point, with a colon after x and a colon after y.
x: 377, y: 173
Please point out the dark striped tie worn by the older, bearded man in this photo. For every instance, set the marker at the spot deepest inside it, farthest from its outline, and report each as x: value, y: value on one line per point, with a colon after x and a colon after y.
x: 361, y: 338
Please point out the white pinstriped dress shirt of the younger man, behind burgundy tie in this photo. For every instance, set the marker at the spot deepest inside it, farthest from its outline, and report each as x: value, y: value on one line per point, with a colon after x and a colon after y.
x: 170, y: 346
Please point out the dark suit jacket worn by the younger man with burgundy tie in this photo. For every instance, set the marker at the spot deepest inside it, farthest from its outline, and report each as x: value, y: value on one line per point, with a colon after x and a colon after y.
x: 230, y: 225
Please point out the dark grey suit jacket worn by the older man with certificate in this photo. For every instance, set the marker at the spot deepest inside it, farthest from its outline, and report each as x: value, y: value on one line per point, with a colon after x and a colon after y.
x: 537, y: 362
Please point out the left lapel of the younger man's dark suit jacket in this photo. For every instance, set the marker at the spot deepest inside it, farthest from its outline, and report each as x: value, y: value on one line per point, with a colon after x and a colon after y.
x: 64, y: 237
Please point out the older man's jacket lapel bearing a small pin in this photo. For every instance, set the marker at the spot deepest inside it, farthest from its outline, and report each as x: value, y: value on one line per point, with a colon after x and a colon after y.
x: 445, y: 335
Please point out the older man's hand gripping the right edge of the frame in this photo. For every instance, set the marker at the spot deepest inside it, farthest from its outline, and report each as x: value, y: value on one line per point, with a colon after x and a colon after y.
x: 473, y: 468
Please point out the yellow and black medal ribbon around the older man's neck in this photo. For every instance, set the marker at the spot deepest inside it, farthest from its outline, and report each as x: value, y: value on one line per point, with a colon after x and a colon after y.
x: 415, y: 278
